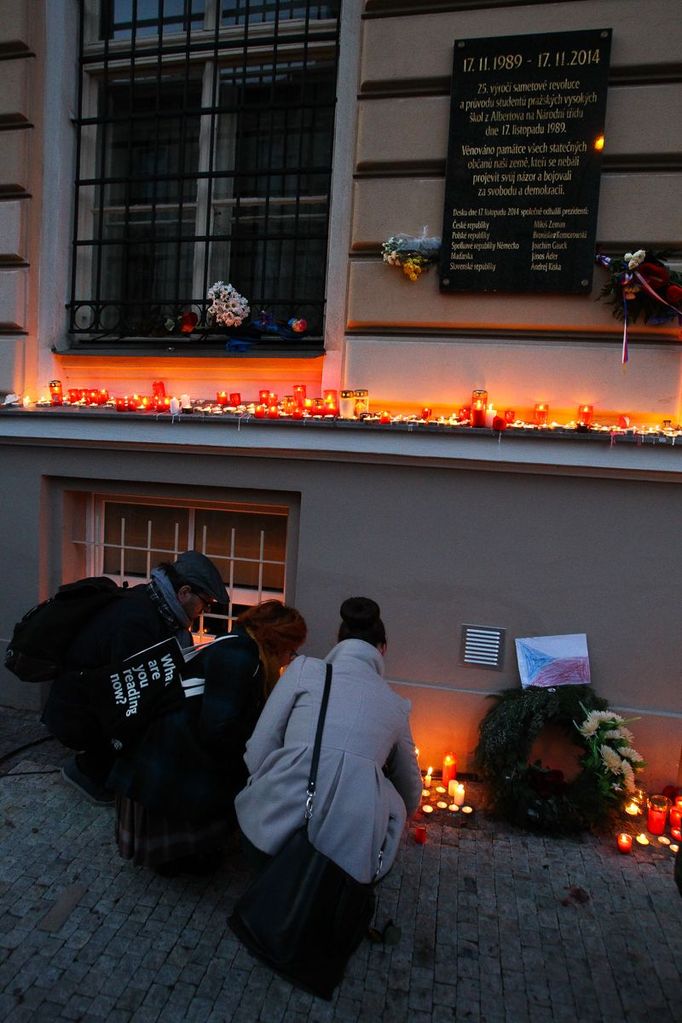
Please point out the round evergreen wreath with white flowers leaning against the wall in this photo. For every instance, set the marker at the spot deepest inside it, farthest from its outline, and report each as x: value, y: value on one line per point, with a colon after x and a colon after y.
x: 536, y: 797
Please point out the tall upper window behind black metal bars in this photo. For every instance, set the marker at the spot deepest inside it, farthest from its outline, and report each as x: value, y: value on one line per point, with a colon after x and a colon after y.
x: 205, y: 154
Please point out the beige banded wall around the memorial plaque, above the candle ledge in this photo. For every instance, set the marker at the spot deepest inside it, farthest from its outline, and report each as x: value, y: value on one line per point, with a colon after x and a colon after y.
x: 412, y: 344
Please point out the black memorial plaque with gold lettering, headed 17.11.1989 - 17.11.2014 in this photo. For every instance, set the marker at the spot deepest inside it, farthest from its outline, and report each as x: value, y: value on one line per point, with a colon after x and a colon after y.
x: 522, y: 193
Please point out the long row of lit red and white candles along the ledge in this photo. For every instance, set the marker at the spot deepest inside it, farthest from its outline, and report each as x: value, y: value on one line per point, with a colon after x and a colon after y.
x: 347, y: 405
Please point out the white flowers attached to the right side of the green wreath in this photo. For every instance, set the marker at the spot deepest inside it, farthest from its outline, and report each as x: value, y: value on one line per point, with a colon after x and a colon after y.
x: 610, y: 758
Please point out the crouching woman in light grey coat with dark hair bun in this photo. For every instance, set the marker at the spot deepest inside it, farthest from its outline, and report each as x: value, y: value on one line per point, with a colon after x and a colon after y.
x: 369, y: 781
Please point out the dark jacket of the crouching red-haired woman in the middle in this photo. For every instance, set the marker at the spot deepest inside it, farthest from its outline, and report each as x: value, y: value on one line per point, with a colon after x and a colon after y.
x: 190, y: 763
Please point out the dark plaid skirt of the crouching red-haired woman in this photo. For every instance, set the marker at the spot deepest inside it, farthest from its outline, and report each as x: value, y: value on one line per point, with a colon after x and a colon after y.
x: 151, y: 839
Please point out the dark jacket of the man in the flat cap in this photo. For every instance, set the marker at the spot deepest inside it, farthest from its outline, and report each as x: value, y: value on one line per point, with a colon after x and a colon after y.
x: 129, y: 625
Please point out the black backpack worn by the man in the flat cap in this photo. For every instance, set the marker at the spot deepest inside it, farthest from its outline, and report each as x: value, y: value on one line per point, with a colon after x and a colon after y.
x: 37, y: 650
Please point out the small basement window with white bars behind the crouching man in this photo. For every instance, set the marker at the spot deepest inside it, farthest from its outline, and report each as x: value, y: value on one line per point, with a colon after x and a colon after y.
x: 126, y: 540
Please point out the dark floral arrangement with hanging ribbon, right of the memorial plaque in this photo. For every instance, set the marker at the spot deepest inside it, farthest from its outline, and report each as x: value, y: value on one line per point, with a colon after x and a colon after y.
x: 643, y: 285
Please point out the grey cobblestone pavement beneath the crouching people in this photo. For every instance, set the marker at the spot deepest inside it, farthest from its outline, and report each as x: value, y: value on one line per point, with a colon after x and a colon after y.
x: 497, y: 926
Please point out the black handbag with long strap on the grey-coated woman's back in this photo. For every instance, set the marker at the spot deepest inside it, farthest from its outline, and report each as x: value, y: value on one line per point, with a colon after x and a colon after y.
x: 303, y: 915
